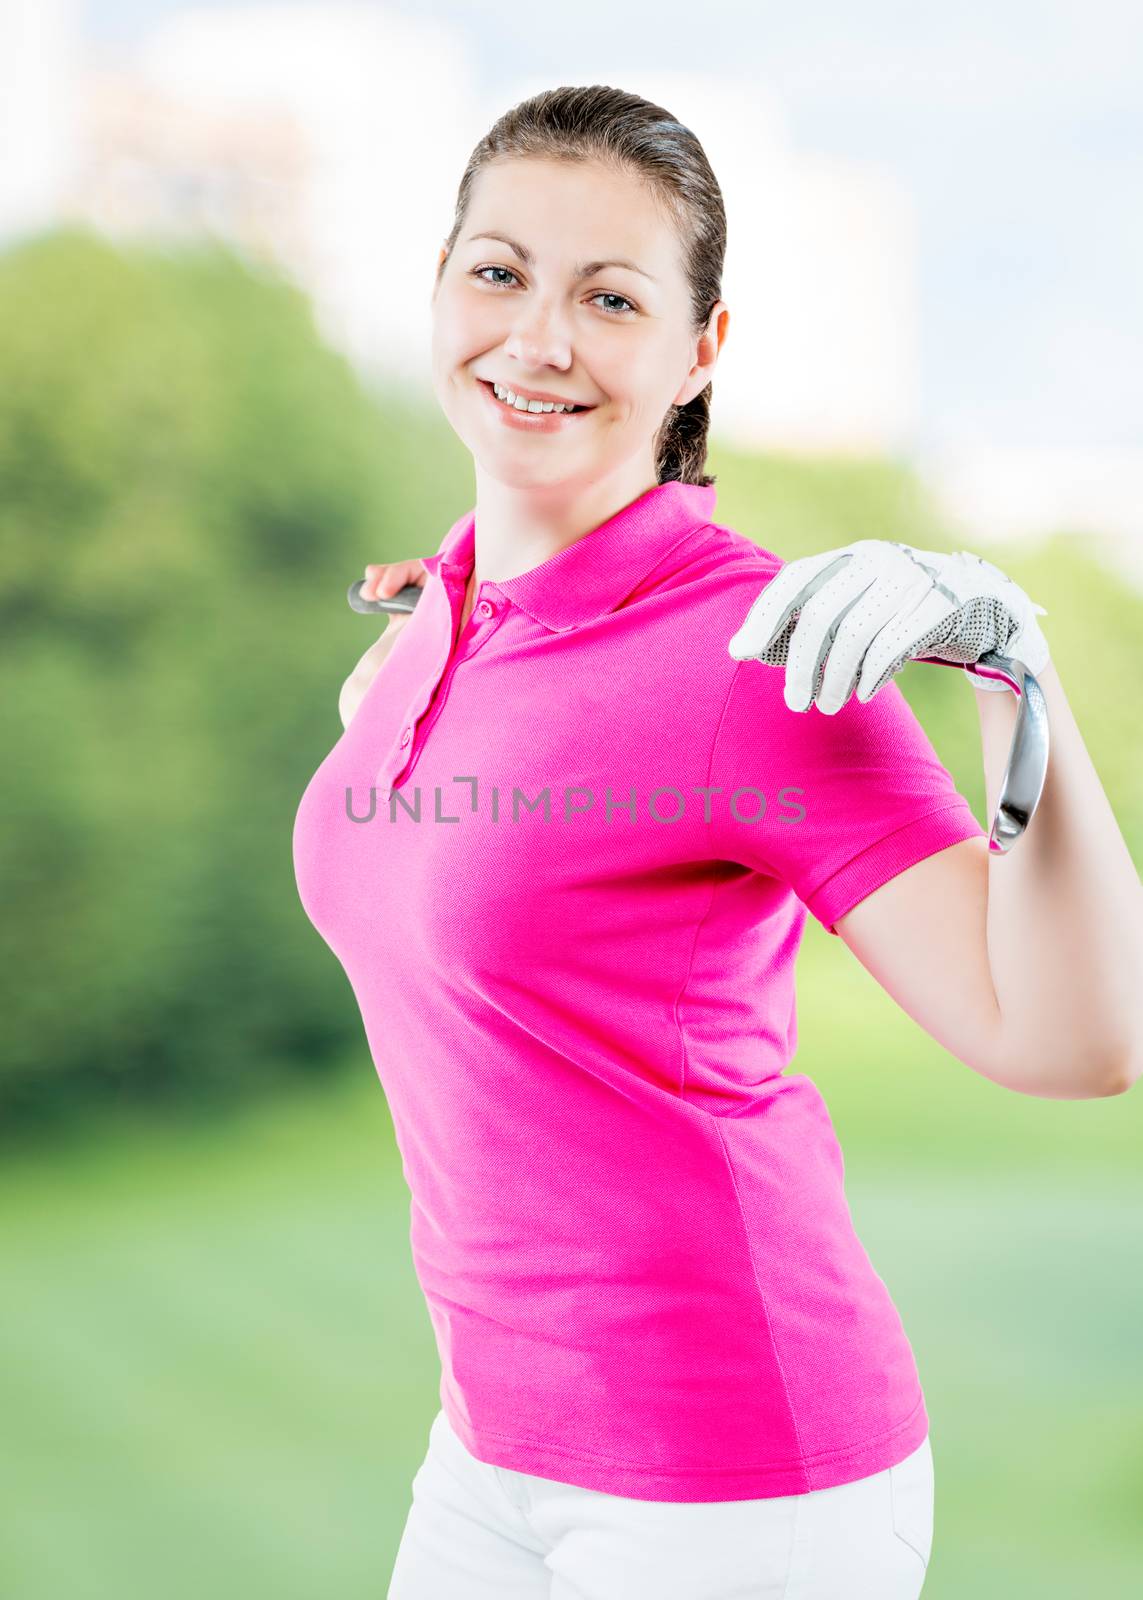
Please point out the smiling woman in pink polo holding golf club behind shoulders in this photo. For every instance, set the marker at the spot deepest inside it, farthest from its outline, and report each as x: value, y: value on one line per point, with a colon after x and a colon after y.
x: 566, y: 850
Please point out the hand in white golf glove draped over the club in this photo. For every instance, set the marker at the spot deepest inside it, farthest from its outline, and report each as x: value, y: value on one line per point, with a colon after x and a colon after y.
x: 856, y: 615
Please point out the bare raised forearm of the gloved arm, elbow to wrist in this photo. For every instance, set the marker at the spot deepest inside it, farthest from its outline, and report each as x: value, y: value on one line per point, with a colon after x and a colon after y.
x: 1065, y: 921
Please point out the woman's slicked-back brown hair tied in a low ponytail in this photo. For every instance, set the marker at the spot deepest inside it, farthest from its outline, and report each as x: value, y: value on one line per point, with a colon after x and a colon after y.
x: 603, y: 124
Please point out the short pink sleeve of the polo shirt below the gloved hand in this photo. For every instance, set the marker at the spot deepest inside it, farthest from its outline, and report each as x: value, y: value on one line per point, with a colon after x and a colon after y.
x: 838, y: 806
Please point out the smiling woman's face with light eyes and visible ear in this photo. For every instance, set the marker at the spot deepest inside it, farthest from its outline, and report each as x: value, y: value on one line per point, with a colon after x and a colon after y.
x: 616, y: 340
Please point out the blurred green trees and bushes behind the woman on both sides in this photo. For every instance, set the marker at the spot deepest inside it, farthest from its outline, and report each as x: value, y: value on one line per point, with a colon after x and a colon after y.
x: 190, y: 479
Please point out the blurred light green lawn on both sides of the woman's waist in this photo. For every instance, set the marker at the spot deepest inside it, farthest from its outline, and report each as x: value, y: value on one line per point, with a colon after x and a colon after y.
x: 220, y: 1372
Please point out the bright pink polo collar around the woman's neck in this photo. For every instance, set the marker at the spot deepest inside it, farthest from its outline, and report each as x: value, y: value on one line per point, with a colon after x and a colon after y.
x: 598, y: 572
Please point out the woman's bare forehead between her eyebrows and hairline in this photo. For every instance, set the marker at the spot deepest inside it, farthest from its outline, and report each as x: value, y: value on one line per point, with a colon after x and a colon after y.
x: 572, y: 212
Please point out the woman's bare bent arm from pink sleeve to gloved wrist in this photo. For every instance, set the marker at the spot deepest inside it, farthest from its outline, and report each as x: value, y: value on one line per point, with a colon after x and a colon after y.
x: 1029, y: 967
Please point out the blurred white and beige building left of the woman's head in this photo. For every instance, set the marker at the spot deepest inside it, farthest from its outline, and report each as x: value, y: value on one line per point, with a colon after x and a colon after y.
x: 343, y: 124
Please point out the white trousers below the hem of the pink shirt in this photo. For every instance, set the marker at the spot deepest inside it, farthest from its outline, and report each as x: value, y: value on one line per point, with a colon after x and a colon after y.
x: 476, y: 1532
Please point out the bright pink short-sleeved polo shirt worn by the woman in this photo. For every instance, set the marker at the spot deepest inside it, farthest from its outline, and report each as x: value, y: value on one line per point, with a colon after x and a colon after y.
x: 571, y: 921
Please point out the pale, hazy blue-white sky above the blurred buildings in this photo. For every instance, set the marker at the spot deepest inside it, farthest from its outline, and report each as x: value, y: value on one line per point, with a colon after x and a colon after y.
x: 1017, y: 130
